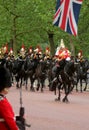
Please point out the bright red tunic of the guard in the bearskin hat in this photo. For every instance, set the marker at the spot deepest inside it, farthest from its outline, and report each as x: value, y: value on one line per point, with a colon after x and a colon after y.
x: 7, y: 114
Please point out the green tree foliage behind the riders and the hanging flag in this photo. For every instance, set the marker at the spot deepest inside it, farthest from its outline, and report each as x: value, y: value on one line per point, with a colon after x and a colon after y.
x: 29, y: 22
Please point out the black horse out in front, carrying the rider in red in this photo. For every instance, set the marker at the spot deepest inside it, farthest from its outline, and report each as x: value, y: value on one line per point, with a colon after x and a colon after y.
x: 64, y: 79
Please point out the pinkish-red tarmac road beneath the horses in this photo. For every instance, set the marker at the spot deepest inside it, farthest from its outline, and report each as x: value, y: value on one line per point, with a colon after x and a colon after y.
x: 44, y: 113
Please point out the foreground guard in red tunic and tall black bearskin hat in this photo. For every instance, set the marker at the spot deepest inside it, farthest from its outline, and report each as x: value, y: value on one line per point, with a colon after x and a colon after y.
x: 7, y: 117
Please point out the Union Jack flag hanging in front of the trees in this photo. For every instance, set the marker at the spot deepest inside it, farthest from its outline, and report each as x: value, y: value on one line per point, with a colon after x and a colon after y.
x: 67, y: 14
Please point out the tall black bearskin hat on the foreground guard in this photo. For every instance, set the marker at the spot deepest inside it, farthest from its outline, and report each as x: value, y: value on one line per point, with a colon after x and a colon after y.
x: 5, y: 80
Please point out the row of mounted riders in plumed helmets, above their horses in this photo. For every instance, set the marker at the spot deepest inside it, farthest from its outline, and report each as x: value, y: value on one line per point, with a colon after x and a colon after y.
x: 61, y: 52
